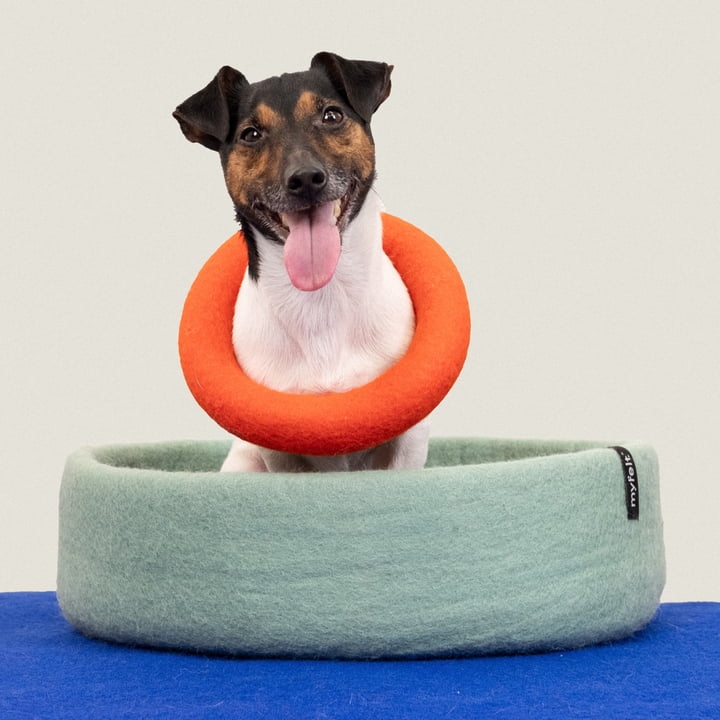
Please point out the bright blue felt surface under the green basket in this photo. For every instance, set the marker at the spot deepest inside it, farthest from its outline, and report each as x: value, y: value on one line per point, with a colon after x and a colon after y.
x: 47, y: 670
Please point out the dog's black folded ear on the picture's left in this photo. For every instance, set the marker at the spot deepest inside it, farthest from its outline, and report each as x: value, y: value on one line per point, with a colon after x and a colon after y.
x: 205, y: 117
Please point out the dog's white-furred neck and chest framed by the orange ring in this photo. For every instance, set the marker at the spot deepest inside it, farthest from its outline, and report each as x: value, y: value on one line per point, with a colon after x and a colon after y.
x: 330, y: 339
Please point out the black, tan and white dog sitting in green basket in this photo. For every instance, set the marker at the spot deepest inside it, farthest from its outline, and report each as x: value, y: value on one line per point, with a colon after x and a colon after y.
x: 322, y: 308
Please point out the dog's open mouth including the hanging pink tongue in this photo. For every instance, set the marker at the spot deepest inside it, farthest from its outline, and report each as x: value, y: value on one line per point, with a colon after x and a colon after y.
x: 312, y: 240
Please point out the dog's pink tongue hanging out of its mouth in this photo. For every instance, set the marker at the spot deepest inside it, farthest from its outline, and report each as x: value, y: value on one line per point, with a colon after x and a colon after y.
x: 312, y: 248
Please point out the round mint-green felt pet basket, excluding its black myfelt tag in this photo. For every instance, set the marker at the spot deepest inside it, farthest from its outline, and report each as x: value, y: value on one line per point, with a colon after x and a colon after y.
x: 497, y: 546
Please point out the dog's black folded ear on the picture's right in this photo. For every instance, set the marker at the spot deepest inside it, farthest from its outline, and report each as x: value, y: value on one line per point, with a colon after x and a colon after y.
x: 364, y: 84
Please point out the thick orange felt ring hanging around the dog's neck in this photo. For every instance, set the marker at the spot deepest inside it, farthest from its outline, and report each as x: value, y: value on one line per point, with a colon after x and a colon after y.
x: 333, y: 423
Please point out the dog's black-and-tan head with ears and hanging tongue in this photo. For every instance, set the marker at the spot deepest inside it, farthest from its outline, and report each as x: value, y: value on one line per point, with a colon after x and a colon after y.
x: 297, y: 153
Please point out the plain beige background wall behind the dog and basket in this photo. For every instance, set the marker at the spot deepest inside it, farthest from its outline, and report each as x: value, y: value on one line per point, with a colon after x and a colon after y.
x: 566, y: 154
